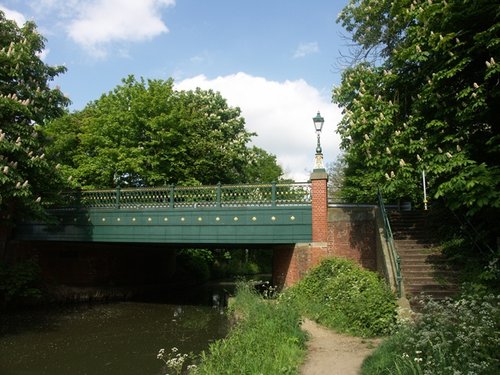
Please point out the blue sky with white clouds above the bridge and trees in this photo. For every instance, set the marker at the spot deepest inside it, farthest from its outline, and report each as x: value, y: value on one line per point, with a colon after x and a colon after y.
x: 277, y: 60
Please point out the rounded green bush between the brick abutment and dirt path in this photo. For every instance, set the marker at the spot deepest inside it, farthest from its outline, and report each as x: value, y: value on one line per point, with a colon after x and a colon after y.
x: 341, y: 295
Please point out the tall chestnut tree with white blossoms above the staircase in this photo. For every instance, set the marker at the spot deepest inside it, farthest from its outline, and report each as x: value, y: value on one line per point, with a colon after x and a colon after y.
x: 425, y: 97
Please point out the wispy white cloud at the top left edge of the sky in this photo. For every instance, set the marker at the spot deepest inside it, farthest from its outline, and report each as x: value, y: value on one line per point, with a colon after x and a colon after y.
x: 104, y: 21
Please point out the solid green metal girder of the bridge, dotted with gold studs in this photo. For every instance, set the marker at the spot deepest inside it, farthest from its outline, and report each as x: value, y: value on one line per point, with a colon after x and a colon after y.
x: 223, y: 225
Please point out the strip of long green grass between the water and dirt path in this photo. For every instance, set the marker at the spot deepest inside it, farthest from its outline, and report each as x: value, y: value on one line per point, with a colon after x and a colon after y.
x: 266, y: 340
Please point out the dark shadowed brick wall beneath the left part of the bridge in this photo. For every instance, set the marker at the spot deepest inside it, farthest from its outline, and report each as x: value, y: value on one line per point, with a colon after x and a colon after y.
x: 99, y: 264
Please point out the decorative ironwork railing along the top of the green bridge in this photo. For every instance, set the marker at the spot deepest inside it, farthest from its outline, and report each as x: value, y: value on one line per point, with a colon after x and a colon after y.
x: 274, y: 194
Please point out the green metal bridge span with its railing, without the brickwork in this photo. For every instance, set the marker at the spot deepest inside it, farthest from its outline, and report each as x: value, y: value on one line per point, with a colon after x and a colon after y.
x: 277, y: 213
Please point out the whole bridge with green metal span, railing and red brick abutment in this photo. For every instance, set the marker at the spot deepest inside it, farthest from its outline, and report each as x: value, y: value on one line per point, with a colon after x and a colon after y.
x: 293, y: 220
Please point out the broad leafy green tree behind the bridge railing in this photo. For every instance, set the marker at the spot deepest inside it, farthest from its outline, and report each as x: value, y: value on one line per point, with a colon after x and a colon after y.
x: 144, y: 133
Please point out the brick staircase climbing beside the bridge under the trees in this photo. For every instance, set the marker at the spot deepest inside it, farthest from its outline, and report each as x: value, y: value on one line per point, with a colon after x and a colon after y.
x: 423, y: 267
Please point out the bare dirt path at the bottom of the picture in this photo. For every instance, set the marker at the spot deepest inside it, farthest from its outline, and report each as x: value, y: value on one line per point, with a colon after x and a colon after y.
x: 330, y: 353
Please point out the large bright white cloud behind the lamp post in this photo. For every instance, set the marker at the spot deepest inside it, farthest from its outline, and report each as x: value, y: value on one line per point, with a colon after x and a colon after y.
x: 281, y: 114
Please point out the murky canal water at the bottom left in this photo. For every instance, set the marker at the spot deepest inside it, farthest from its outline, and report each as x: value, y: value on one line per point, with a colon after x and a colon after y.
x: 116, y: 338
